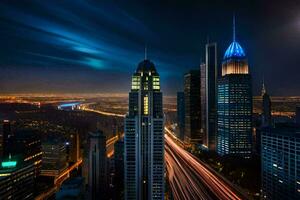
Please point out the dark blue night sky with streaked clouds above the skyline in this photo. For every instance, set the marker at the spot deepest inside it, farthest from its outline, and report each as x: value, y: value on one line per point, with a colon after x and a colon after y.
x: 77, y: 46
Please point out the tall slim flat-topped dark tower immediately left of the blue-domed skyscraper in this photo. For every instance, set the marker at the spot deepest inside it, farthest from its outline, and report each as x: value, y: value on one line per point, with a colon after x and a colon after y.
x: 209, y: 74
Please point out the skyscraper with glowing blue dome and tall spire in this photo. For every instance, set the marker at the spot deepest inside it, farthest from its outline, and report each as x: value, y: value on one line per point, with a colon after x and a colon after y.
x: 235, y: 103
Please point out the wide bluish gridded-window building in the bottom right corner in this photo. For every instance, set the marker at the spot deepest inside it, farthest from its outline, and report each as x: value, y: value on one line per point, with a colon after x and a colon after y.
x: 280, y: 162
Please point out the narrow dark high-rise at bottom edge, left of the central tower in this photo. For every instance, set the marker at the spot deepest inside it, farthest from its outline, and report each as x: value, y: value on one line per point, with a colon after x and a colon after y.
x: 97, y: 166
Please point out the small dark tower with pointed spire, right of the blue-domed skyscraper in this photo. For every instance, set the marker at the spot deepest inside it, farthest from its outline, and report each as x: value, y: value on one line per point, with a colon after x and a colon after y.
x: 266, y: 108
